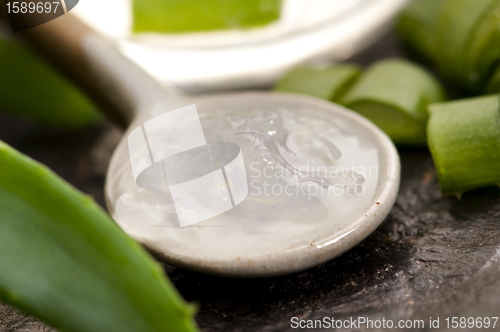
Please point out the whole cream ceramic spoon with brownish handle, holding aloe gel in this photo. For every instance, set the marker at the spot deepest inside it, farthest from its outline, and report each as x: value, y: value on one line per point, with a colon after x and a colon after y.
x: 315, y: 157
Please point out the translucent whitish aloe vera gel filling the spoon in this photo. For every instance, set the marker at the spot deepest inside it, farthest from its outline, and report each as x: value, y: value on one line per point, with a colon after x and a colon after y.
x: 307, y: 176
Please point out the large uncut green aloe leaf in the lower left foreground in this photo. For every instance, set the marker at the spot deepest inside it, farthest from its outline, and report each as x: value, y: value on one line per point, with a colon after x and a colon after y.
x: 65, y: 261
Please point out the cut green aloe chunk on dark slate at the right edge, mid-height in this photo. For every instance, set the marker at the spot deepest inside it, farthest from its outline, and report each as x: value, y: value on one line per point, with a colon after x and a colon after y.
x: 464, y: 139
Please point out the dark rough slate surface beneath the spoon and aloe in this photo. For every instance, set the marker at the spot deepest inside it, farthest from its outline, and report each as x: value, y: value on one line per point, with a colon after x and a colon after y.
x: 433, y: 256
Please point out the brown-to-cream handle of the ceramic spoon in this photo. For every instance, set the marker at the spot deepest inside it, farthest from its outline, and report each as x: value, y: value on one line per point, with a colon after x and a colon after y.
x: 117, y: 86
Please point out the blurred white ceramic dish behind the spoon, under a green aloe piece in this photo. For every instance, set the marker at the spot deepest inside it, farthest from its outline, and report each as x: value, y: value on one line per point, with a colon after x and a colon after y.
x: 308, y: 30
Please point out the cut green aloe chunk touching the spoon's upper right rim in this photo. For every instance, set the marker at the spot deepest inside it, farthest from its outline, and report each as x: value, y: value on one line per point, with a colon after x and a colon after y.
x: 394, y: 95
